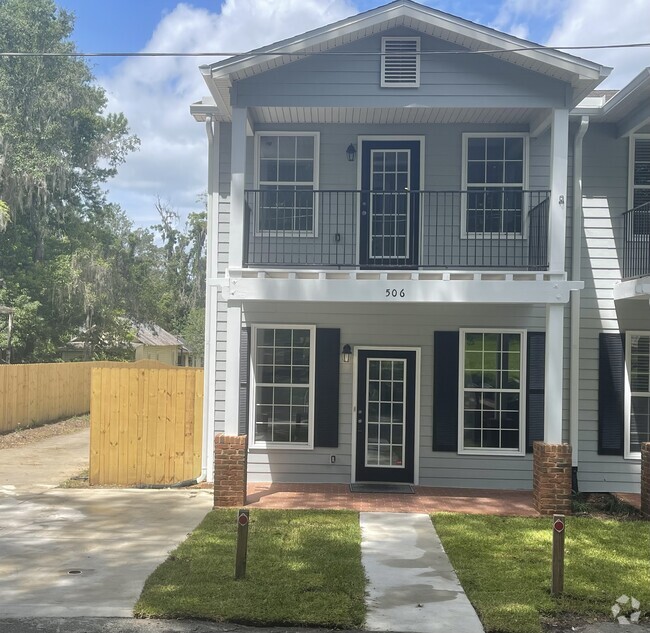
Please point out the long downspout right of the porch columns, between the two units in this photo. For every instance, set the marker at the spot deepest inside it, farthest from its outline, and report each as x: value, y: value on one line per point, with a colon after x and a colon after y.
x: 576, y: 273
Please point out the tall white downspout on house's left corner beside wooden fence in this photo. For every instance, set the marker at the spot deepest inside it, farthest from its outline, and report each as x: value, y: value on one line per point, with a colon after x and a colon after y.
x: 210, y: 349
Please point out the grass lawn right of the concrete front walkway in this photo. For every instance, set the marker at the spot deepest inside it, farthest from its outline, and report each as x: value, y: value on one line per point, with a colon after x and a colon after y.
x: 504, y: 565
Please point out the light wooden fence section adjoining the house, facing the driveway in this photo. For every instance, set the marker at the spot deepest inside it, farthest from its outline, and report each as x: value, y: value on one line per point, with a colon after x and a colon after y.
x: 145, y: 425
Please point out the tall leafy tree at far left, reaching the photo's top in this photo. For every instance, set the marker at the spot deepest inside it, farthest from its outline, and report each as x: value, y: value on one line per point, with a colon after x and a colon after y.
x: 58, y: 146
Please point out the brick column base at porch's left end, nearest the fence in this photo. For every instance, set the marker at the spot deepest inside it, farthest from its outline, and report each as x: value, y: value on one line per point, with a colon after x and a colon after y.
x: 230, y: 461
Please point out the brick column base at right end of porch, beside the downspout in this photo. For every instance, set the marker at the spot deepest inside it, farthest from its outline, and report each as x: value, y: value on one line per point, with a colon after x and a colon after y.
x: 552, y: 478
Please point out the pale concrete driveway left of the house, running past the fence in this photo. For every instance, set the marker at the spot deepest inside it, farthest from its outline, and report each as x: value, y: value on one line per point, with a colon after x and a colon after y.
x: 74, y: 553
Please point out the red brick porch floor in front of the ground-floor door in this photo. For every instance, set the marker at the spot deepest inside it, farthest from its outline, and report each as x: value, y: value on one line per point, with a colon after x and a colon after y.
x: 425, y: 499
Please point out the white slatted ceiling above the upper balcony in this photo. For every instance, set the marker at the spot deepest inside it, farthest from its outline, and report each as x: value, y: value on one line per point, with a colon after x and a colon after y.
x: 390, y: 116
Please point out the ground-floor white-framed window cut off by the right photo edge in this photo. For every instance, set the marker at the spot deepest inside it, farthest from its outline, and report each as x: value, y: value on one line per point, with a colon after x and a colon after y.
x: 637, y: 401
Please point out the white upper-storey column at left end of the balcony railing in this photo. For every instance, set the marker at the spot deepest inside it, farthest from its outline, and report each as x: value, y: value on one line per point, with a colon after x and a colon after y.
x: 238, y: 166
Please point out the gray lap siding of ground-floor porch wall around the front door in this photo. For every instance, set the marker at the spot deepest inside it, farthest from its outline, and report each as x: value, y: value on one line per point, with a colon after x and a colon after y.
x: 391, y: 325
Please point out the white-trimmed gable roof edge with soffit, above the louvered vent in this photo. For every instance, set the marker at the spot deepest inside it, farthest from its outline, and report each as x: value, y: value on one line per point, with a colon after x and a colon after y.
x: 583, y: 75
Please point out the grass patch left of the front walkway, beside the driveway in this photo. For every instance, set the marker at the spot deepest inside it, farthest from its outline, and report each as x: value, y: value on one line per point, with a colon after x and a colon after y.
x: 304, y: 569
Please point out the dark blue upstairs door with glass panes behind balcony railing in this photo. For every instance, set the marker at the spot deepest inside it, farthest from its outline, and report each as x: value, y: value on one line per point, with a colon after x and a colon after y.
x: 389, y: 214
